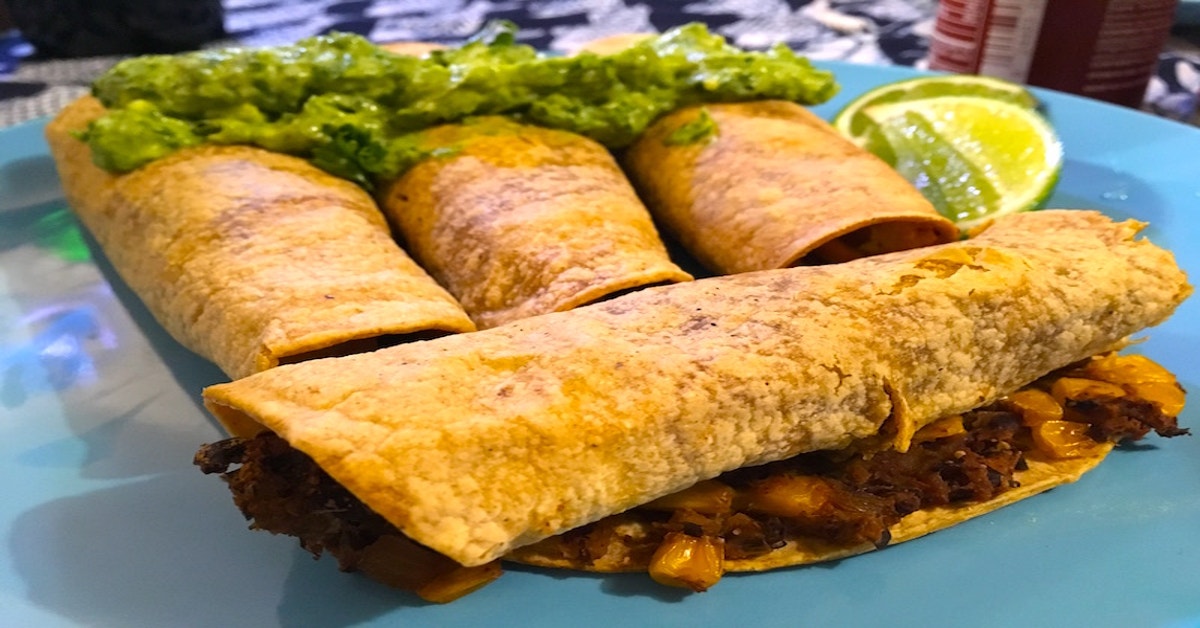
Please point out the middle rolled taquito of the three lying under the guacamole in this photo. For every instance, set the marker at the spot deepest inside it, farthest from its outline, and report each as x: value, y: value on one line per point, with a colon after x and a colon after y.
x: 517, y: 222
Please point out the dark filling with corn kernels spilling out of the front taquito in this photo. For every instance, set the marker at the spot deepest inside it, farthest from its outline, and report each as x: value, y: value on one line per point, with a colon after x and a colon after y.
x: 844, y: 499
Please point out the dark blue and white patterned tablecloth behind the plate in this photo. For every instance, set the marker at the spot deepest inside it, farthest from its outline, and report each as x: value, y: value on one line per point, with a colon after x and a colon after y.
x: 863, y: 32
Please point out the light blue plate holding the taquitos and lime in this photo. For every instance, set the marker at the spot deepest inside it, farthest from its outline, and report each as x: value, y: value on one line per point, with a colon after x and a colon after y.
x: 106, y: 523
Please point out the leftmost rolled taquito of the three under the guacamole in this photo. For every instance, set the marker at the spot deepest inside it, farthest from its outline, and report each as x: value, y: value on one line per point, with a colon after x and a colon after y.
x: 248, y: 258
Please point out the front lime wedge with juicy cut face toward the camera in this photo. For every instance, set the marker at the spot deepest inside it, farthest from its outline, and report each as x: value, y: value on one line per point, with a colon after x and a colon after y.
x: 974, y: 158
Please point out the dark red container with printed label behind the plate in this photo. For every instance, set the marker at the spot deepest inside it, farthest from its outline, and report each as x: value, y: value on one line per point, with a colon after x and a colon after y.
x: 1105, y: 50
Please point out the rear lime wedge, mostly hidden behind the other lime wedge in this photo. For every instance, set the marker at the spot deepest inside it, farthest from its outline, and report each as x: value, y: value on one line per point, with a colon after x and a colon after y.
x: 855, y: 124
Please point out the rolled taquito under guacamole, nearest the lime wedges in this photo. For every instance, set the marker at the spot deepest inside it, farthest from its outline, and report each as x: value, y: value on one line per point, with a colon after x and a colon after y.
x: 772, y: 187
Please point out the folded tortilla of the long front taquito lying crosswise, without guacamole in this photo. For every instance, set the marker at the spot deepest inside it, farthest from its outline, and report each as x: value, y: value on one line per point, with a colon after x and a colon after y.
x: 481, y: 444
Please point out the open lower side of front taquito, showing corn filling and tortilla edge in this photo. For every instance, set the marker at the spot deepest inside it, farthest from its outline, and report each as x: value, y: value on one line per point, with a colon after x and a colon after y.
x: 824, y: 506
